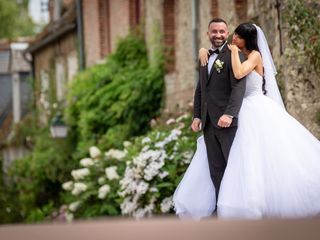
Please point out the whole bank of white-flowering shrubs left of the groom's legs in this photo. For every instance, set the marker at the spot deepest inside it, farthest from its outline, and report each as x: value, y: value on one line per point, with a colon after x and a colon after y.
x: 148, y: 170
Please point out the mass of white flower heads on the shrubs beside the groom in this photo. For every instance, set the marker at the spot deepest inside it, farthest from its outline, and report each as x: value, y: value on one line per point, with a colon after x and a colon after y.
x: 143, y: 187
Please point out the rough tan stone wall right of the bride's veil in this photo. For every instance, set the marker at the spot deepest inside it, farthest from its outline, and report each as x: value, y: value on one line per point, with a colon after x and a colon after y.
x: 300, y: 84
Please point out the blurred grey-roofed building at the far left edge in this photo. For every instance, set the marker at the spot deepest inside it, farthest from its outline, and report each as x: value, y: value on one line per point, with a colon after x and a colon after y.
x: 15, y: 88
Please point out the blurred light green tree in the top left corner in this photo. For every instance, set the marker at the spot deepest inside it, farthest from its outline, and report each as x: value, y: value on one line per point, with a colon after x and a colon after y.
x: 14, y: 19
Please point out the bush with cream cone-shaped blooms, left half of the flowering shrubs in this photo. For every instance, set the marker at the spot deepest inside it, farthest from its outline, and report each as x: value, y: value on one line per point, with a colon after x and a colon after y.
x: 93, y: 190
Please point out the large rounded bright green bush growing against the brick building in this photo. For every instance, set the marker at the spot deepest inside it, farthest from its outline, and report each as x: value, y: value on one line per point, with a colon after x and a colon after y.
x: 110, y: 102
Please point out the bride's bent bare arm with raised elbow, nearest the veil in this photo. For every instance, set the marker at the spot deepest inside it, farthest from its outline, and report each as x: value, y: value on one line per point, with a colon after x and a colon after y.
x: 241, y: 70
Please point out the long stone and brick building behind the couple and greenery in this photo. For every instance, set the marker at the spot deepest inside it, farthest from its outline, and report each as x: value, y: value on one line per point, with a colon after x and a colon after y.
x: 83, y: 32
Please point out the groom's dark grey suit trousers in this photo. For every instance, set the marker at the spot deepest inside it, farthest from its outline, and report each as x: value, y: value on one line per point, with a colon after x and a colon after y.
x: 218, y: 143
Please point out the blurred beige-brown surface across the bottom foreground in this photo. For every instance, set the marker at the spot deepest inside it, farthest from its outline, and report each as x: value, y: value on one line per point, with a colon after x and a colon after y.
x: 166, y: 228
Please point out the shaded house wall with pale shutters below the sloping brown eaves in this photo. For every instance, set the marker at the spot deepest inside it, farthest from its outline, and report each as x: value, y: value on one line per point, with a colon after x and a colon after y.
x: 46, y: 60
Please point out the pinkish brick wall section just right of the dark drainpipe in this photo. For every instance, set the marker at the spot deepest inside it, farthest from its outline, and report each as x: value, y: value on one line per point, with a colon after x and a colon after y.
x: 104, y: 21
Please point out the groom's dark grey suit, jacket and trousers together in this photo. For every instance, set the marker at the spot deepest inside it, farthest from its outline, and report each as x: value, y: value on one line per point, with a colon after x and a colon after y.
x: 216, y: 94
